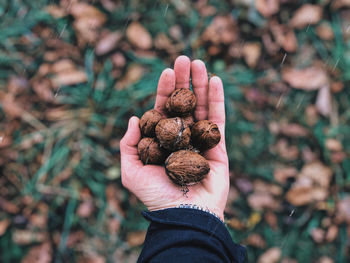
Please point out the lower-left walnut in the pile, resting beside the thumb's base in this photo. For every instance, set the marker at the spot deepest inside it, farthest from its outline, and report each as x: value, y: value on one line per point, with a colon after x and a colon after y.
x: 150, y: 151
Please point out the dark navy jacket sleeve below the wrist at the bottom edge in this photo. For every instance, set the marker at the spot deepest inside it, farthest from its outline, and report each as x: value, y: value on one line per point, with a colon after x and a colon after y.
x: 188, y: 235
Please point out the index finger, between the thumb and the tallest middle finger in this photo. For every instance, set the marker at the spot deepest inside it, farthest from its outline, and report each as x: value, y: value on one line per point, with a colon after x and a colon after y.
x: 166, y: 86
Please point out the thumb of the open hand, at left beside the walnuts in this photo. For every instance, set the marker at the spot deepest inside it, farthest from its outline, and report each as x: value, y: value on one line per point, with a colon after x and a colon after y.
x: 130, y: 160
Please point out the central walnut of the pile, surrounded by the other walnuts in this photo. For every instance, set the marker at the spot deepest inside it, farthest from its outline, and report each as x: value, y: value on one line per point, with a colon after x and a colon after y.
x: 172, y: 134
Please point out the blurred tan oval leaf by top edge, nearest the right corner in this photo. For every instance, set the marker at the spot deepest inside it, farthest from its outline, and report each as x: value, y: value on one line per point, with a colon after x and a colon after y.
x: 306, y: 15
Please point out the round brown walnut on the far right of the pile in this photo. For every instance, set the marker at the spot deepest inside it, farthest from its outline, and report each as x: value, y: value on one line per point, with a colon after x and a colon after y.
x: 205, y: 134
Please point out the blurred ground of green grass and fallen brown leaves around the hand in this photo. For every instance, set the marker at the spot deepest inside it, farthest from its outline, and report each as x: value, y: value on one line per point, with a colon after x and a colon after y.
x: 72, y: 72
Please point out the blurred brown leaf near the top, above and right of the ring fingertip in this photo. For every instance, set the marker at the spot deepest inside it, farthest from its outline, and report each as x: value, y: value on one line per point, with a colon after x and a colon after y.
x: 222, y: 30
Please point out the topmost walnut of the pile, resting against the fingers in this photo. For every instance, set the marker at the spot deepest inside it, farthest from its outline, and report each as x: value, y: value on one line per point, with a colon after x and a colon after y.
x: 181, y: 102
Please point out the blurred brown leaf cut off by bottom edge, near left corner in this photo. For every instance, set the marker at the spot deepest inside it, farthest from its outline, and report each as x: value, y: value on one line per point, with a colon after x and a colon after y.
x: 39, y: 254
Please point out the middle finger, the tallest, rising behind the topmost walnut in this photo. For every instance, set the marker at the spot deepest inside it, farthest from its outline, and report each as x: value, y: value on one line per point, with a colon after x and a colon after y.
x: 182, y: 68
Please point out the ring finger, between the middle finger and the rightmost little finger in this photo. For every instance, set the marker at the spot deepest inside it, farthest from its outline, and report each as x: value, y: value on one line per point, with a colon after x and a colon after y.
x: 200, y: 87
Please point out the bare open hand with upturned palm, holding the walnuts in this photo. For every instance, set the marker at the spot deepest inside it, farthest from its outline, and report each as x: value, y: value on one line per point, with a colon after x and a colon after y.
x: 149, y: 182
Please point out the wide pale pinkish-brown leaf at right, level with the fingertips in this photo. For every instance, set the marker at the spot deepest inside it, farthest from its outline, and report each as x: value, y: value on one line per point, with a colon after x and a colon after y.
x: 308, y: 79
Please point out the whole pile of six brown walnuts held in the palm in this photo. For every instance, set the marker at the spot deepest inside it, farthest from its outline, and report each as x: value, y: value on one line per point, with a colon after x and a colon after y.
x: 176, y: 140
